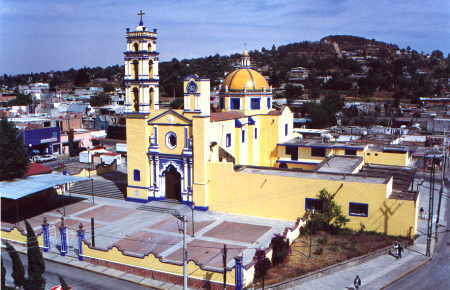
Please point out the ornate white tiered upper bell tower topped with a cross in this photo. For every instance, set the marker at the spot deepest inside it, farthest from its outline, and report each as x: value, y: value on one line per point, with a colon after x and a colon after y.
x: 141, y: 69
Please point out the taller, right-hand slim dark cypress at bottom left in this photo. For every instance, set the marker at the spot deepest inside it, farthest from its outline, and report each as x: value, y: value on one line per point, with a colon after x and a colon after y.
x: 36, y: 266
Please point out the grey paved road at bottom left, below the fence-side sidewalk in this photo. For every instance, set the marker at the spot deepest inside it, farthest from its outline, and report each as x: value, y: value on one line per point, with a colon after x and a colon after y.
x: 77, y: 278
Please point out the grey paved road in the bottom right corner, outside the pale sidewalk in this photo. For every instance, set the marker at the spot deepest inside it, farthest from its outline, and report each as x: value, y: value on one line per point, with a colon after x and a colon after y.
x: 436, y: 274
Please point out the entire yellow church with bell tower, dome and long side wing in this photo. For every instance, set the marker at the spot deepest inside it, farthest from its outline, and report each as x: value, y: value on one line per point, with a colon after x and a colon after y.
x: 239, y: 160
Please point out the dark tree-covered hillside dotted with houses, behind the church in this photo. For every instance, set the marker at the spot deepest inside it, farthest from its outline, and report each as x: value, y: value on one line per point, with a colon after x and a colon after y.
x: 350, y: 64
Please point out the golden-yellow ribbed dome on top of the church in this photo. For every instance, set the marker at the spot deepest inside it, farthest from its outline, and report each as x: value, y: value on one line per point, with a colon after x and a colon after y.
x: 245, y: 79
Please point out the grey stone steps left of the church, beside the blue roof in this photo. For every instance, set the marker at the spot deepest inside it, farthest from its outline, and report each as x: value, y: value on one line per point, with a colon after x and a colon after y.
x: 102, y: 188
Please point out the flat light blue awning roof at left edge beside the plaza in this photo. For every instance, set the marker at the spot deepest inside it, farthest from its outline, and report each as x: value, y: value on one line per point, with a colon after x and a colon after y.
x: 19, y: 188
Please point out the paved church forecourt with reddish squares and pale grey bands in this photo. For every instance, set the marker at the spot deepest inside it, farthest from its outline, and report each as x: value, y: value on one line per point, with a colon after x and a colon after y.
x: 139, y: 230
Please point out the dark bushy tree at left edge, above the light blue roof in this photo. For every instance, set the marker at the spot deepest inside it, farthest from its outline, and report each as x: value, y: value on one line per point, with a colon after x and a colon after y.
x: 13, y: 156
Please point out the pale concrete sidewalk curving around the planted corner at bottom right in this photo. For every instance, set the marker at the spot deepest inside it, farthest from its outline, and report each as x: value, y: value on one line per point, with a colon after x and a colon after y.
x: 382, y: 270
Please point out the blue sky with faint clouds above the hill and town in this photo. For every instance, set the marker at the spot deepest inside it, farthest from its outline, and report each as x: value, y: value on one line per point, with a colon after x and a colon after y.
x: 45, y: 35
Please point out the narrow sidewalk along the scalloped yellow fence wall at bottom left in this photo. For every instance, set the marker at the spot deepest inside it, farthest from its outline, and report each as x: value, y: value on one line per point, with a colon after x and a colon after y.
x: 74, y: 262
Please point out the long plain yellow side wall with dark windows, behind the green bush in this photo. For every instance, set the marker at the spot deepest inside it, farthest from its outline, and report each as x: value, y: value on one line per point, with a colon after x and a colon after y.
x: 281, y: 197
